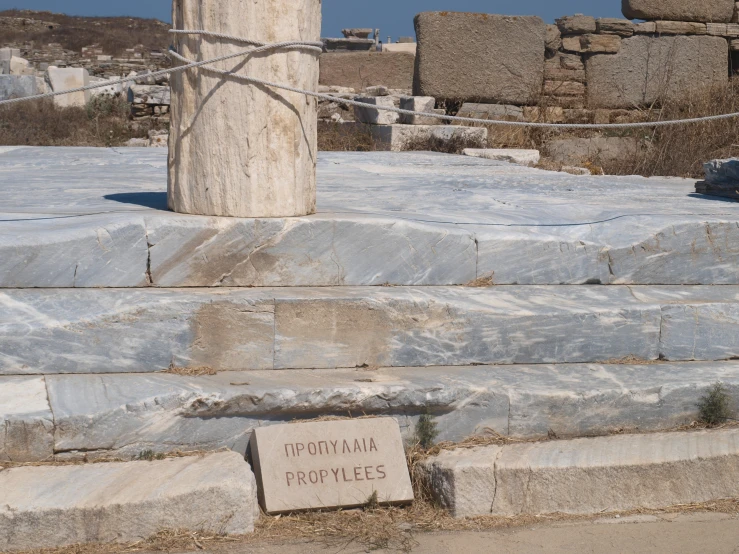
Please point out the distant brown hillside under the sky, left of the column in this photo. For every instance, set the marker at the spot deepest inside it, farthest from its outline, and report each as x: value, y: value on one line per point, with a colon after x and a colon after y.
x: 113, y: 34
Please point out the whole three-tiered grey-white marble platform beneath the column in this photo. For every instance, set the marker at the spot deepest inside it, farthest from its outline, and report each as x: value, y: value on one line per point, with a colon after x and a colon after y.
x: 426, y: 283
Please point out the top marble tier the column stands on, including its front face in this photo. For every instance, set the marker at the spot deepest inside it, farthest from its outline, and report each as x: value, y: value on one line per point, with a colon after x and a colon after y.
x: 87, y: 217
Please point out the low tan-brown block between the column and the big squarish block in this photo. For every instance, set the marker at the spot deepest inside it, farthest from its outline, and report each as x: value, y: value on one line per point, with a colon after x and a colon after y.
x: 358, y: 70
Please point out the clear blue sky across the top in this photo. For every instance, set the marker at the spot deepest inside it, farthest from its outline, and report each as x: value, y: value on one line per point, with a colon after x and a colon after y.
x: 393, y: 17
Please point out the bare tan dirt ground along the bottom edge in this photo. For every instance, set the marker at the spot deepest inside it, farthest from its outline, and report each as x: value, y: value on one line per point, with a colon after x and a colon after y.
x: 695, y: 533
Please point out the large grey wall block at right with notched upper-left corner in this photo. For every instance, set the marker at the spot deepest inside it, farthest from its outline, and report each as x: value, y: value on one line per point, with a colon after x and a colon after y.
x: 648, y: 69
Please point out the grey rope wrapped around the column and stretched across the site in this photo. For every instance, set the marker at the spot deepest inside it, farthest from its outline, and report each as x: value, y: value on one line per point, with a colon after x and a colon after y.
x: 317, y: 47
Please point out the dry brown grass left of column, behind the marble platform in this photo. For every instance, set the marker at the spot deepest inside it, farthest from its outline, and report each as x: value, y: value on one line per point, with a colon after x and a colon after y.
x: 104, y: 122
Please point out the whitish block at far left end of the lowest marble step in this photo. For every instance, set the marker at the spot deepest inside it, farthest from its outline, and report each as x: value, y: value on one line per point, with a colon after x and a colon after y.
x: 26, y: 421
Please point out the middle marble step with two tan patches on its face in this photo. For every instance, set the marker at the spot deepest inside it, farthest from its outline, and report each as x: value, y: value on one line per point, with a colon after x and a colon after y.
x: 49, y: 331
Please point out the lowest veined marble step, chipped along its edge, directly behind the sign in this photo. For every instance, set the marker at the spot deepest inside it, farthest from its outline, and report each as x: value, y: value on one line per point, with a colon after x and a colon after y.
x: 121, y: 415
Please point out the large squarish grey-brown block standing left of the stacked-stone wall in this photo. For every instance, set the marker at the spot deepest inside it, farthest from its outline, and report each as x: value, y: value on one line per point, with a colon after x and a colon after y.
x: 513, y: 49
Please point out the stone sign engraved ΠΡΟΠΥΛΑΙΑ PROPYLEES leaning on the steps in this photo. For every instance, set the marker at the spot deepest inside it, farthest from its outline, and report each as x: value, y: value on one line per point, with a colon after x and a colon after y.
x: 330, y: 464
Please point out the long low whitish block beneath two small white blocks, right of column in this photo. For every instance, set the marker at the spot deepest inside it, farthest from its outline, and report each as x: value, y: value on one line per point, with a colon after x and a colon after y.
x: 397, y: 138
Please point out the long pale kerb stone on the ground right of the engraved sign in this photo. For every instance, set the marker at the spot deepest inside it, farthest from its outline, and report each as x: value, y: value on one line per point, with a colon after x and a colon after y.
x: 586, y: 476
